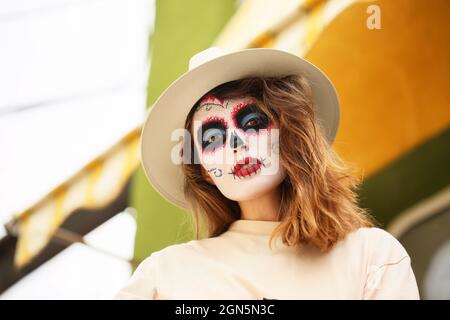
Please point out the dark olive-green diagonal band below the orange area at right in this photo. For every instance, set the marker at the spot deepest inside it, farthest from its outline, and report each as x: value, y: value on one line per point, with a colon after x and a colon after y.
x: 415, y: 176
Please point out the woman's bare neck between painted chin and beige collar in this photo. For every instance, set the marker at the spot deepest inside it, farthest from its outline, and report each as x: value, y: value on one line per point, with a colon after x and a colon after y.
x: 264, y: 208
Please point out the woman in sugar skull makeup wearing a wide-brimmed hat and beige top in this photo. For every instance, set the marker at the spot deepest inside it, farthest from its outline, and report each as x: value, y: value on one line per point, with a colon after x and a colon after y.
x: 257, y: 170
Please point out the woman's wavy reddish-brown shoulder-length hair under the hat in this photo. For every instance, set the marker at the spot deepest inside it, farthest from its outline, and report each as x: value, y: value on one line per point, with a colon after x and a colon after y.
x: 318, y: 196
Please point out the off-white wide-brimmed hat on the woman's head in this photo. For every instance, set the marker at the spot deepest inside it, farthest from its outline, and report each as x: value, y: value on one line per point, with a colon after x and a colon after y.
x: 208, y: 69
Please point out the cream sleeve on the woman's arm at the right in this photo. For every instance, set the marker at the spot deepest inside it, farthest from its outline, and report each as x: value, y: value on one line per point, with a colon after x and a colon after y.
x: 389, y: 273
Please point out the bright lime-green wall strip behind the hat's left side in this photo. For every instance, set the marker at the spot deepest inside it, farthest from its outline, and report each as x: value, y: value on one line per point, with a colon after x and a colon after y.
x: 182, y: 28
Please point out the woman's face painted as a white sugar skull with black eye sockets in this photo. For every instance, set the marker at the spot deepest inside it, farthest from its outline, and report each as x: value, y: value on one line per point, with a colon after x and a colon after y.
x: 237, y: 146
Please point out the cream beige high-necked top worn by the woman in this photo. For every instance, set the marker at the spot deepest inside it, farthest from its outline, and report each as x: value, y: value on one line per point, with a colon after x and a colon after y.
x: 368, y: 264
